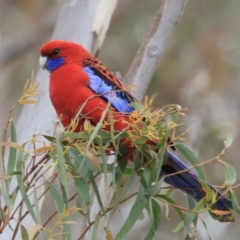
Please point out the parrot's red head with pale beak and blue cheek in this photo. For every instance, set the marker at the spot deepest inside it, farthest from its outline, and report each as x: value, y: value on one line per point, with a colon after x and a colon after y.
x: 58, y: 52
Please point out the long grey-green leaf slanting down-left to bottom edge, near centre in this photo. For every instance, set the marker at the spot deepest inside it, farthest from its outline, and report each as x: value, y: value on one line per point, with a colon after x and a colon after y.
x: 134, y: 214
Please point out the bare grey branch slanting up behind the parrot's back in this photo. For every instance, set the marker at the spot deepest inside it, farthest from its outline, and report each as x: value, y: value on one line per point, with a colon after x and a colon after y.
x: 149, y: 54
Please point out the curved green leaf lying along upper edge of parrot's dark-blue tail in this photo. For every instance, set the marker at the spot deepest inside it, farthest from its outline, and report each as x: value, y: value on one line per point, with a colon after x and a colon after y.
x: 191, y: 158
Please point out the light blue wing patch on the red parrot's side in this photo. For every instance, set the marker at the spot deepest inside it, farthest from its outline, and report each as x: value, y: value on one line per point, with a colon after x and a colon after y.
x: 117, y: 98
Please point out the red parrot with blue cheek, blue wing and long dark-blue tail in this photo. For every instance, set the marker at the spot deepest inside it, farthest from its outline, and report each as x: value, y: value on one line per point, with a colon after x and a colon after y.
x: 79, y: 80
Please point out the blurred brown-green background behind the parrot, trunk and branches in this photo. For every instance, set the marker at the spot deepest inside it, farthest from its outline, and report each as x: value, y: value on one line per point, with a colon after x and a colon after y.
x: 199, y: 70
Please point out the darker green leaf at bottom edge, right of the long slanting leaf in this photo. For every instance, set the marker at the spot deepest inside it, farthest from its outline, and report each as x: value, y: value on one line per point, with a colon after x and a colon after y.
x: 155, y: 216
